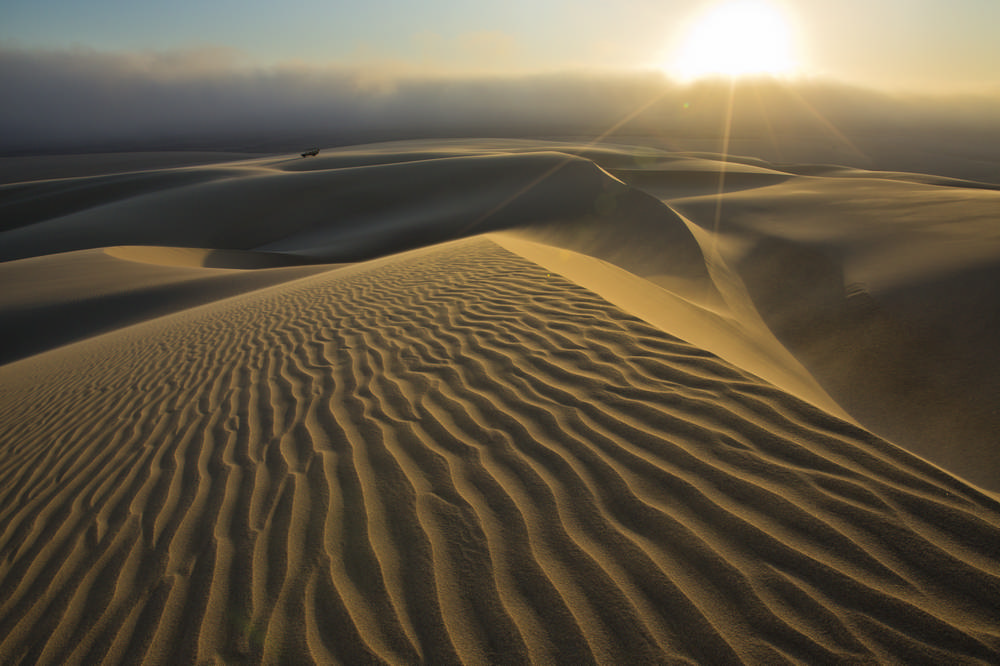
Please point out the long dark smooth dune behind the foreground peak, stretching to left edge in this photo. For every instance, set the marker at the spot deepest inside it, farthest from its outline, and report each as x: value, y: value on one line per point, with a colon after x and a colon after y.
x: 337, y: 214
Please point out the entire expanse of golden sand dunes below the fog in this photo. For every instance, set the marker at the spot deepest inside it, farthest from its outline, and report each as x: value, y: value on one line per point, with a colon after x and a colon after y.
x: 597, y: 417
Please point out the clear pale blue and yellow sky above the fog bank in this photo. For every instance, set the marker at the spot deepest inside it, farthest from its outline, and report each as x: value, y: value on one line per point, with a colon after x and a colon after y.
x: 929, y: 45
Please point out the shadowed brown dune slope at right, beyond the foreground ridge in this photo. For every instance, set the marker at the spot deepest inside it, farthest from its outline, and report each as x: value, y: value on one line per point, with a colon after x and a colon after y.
x: 886, y: 291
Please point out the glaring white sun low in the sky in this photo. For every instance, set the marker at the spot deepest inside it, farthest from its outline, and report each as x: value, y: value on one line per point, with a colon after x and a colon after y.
x: 736, y: 38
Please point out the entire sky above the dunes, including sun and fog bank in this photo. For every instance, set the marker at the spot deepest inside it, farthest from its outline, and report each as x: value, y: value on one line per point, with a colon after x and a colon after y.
x: 248, y: 74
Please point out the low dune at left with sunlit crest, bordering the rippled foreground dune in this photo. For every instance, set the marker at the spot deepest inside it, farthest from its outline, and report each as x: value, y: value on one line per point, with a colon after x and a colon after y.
x: 57, y: 299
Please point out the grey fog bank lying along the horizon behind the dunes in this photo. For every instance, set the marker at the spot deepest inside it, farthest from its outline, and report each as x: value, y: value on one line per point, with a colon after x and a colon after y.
x: 81, y: 100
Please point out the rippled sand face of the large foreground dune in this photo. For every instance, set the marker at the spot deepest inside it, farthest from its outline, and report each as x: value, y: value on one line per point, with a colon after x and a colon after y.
x: 454, y: 457
